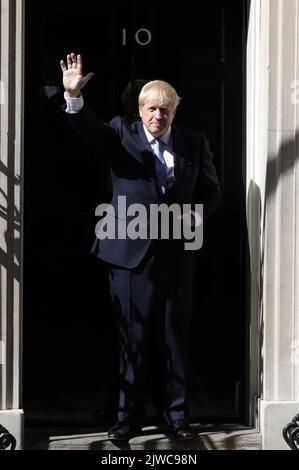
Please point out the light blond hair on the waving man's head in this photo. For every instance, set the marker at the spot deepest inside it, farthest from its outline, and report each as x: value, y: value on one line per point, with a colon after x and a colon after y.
x: 160, y: 90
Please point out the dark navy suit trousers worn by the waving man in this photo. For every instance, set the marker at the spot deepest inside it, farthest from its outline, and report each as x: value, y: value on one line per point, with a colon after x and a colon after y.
x: 153, y: 302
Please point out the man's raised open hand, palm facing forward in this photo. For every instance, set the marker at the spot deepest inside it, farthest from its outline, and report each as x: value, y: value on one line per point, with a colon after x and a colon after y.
x: 73, y: 80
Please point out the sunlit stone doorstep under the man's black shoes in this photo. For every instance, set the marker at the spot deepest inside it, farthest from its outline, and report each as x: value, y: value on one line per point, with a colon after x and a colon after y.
x: 210, y: 437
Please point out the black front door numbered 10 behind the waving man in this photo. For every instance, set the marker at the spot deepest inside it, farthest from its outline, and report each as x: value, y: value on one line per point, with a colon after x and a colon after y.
x: 70, y: 348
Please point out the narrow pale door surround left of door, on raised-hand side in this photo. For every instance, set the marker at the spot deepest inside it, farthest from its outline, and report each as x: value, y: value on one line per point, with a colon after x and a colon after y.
x: 11, y: 147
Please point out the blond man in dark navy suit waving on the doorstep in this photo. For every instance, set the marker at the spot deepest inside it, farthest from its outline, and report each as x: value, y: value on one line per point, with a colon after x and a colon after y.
x: 151, y: 278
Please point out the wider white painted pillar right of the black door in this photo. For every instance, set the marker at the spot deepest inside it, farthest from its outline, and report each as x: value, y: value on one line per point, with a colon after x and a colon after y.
x: 272, y: 157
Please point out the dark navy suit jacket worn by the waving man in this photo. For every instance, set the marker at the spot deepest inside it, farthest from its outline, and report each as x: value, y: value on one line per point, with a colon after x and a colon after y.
x: 132, y: 165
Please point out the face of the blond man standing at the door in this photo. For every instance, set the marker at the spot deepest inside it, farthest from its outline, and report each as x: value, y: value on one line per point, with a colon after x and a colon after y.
x: 156, y: 117
